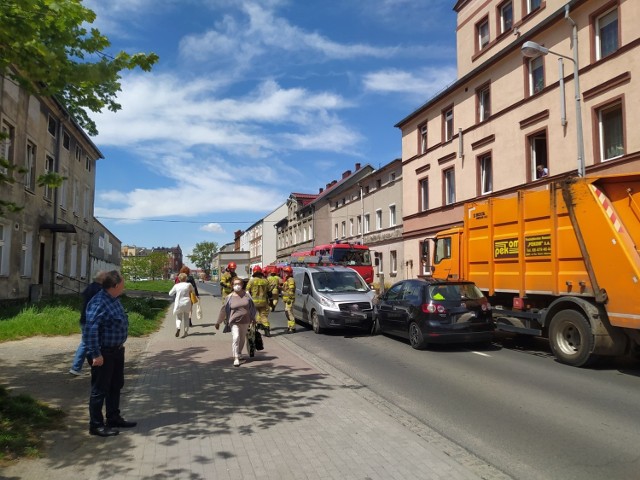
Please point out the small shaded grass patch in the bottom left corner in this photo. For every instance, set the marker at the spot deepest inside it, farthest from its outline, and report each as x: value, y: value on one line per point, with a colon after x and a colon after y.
x: 22, y: 422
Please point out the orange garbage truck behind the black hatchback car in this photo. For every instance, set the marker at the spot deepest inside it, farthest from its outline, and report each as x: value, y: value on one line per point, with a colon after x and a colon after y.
x: 561, y: 263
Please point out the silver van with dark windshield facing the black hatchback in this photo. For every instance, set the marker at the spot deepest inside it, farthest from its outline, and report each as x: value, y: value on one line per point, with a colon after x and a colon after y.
x: 332, y: 297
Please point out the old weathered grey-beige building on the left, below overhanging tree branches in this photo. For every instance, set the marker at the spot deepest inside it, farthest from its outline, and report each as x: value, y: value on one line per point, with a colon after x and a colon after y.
x: 47, y: 246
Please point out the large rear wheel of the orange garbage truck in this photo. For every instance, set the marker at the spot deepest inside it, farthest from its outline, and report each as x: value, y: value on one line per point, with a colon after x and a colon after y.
x: 571, y: 339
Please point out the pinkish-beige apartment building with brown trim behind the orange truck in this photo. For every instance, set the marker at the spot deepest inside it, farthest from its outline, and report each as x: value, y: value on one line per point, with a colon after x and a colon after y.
x: 508, y: 115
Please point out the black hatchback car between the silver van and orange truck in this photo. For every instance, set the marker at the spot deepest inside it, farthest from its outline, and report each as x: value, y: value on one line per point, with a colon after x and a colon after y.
x: 434, y: 311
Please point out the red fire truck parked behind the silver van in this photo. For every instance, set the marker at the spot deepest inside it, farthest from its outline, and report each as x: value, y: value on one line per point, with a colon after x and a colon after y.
x: 352, y: 255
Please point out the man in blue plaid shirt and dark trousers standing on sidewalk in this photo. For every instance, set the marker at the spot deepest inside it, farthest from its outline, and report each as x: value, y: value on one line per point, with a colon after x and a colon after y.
x: 105, y: 334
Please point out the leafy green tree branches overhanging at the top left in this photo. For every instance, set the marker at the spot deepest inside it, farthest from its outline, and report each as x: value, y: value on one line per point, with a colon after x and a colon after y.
x: 47, y: 48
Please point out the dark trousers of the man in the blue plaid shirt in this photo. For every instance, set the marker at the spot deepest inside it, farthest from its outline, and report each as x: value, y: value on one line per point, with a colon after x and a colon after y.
x: 106, y: 383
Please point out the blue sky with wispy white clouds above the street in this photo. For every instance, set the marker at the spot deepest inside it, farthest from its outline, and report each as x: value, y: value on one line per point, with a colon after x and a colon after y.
x: 252, y: 100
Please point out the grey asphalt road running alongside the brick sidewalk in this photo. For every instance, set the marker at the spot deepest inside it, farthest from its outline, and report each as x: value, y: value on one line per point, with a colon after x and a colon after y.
x: 512, y: 404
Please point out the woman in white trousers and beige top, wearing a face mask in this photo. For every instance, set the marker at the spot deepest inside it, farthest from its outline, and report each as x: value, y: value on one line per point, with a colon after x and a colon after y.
x: 239, y: 312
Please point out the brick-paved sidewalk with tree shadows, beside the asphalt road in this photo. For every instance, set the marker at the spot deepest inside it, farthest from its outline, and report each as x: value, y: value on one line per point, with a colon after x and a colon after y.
x: 274, y: 417
